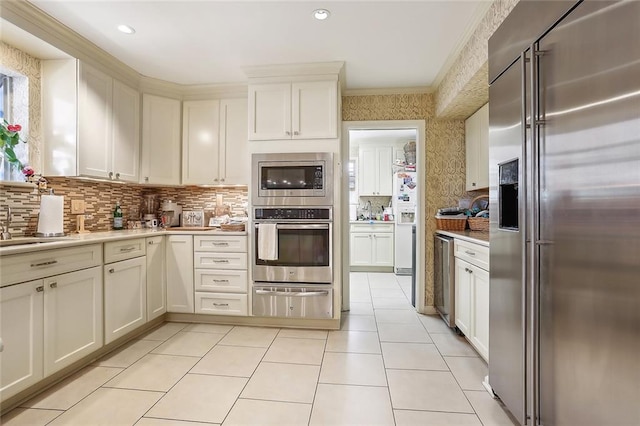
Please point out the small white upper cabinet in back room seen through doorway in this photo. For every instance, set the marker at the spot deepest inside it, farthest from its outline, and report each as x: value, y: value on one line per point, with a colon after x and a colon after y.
x: 375, y: 175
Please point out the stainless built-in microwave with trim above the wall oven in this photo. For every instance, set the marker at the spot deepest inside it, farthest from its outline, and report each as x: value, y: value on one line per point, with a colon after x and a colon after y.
x: 292, y: 179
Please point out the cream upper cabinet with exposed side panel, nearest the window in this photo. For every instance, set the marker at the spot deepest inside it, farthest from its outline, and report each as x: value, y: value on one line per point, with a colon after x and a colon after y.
x: 102, y: 137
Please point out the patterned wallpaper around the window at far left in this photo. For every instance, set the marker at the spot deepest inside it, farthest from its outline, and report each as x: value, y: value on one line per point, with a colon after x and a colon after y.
x: 27, y: 96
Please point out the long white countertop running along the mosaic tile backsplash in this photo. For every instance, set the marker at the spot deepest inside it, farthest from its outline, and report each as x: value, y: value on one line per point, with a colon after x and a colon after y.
x: 101, y: 237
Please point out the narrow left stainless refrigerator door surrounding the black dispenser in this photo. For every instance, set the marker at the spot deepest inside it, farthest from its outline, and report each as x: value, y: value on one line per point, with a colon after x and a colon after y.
x: 506, y: 316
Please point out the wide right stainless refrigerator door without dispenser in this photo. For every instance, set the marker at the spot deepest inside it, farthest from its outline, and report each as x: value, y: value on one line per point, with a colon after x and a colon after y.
x: 589, y: 73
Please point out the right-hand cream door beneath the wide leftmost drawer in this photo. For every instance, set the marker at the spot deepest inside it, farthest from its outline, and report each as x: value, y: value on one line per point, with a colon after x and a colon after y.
x: 72, y: 317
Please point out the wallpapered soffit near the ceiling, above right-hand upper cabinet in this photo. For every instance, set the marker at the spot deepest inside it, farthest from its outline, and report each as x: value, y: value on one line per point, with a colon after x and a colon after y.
x: 465, y: 87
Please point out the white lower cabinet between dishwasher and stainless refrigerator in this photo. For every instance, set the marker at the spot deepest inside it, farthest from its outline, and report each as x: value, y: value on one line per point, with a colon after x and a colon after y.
x: 472, y: 294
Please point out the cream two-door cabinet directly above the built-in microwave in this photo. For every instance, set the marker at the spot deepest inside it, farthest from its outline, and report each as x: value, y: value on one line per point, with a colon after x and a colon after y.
x: 294, y: 110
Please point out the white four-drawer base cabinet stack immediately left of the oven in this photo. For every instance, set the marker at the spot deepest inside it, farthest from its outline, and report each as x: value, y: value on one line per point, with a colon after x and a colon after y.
x: 221, y: 278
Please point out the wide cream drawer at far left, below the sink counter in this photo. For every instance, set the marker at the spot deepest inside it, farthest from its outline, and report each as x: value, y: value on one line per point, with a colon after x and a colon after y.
x: 30, y: 266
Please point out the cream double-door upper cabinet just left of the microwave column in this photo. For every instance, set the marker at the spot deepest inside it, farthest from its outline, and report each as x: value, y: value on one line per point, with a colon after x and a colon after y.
x: 214, y: 142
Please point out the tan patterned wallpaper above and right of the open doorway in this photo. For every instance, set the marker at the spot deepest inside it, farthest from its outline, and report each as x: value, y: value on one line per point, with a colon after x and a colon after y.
x: 445, y: 154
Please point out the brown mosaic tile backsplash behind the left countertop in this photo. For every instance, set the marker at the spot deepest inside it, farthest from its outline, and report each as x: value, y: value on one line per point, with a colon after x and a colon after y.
x: 100, y: 199
